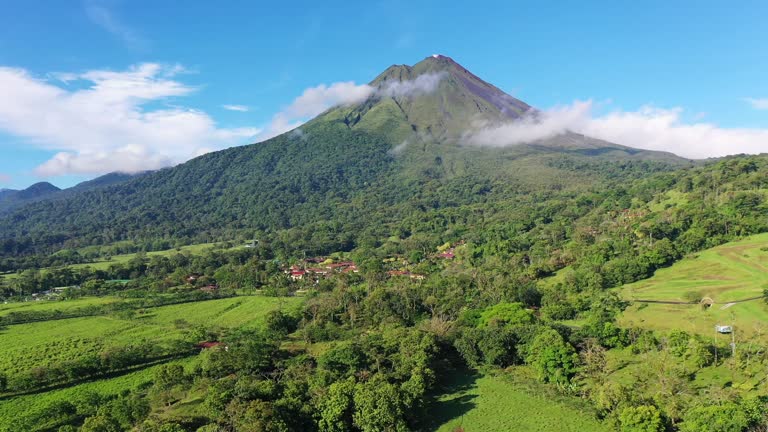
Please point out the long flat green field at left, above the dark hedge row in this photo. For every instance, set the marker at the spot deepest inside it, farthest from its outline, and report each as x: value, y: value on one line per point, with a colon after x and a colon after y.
x: 43, y: 343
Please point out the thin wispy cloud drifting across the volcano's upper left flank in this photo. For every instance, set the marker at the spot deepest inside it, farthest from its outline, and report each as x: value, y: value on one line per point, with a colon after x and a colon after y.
x: 315, y: 100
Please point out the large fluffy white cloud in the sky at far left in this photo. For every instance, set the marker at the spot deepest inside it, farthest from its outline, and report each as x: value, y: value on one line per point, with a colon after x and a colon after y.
x: 103, y: 123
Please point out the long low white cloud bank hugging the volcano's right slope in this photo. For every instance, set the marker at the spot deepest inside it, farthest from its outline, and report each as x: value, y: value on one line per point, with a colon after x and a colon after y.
x: 649, y: 128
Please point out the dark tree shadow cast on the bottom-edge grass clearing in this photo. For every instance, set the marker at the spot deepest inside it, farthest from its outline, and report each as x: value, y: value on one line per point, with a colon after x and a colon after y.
x: 451, y: 399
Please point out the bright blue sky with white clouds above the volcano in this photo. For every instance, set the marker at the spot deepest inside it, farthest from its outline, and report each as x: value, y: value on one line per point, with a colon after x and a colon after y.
x: 101, y: 85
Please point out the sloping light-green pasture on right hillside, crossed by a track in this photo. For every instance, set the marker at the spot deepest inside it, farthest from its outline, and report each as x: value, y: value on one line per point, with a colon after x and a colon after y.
x: 727, y: 273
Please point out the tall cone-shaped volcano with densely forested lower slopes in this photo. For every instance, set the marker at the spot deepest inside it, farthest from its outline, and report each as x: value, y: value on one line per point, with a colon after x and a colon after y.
x: 340, y: 175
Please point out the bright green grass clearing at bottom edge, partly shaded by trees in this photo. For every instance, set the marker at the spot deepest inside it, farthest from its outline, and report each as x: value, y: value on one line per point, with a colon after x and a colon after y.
x: 508, y: 402
